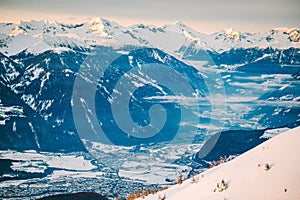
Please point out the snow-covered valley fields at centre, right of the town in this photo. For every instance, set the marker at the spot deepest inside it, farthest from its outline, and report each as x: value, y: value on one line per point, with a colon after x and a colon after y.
x: 152, y: 164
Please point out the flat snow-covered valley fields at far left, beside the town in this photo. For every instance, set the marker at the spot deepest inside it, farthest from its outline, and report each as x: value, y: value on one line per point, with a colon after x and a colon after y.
x: 65, y: 166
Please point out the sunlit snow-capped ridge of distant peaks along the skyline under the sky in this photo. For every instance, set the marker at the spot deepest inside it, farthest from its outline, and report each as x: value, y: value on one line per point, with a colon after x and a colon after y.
x: 39, y: 36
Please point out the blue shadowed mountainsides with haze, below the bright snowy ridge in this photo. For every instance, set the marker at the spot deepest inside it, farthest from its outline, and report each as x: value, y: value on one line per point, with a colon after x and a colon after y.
x: 37, y: 107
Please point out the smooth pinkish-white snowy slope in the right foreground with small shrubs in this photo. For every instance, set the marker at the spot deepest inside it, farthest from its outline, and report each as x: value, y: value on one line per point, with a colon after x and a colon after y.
x: 246, y: 176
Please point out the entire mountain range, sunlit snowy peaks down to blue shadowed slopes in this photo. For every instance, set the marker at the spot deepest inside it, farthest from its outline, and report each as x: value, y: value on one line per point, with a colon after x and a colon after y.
x: 255, y: 74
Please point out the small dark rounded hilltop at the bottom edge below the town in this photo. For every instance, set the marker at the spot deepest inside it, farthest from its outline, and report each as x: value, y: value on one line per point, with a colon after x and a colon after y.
x: 76, y: 196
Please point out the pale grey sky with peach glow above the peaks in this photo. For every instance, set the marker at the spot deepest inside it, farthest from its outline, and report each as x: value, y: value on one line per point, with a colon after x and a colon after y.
x: 206, y: 16
